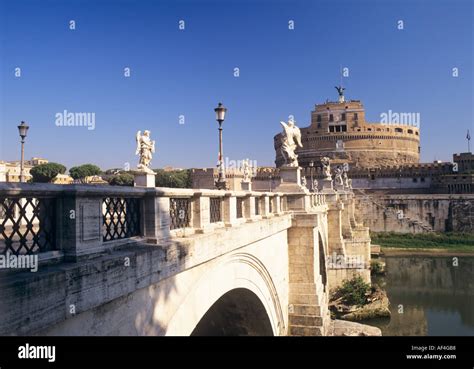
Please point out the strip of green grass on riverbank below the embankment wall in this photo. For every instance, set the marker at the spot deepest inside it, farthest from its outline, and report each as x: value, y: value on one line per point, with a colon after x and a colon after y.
x: 458, y: 242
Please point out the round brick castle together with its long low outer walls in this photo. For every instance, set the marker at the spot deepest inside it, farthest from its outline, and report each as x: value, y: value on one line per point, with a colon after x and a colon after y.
x: 380, y: 156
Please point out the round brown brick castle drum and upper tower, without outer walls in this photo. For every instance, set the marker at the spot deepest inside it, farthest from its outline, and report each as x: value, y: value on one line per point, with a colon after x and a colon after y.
x: 338, y: 130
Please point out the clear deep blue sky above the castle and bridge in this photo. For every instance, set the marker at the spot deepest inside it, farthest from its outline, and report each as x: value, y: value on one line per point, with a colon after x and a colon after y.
x: 188, y: 72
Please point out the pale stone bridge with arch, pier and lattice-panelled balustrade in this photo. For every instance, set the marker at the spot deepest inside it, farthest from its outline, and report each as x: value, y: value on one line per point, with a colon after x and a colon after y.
x: 160, y: 261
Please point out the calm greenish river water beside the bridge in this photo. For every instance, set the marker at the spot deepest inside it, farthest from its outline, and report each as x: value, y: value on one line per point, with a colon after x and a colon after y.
x: 429, y: 296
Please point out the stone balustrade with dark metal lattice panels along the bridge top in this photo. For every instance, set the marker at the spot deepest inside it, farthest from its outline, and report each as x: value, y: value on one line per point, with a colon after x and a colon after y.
x: 77, y: 220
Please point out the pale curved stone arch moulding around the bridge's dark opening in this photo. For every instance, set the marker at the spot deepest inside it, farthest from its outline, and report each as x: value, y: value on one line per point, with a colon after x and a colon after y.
x: 238, y: 273
